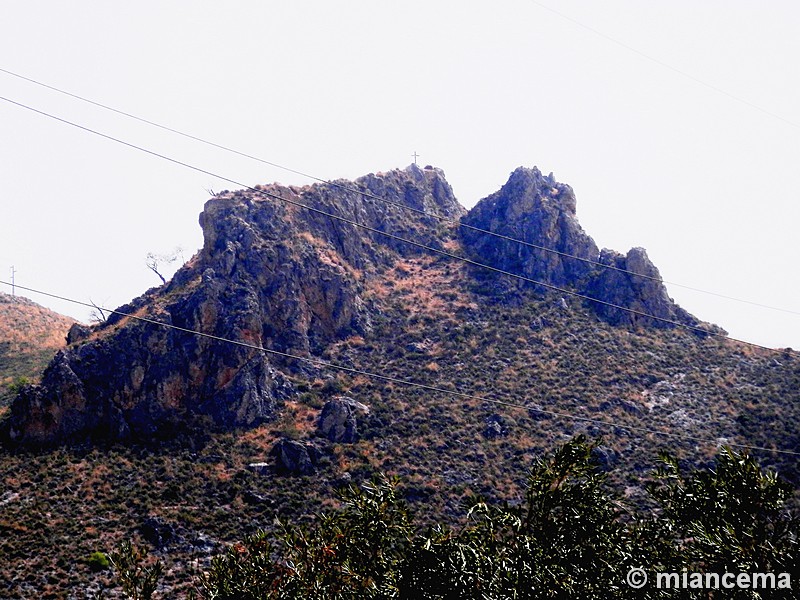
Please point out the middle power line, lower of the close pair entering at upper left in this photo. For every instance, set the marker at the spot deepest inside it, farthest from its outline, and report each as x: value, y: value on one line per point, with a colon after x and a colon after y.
x: 261, y: 192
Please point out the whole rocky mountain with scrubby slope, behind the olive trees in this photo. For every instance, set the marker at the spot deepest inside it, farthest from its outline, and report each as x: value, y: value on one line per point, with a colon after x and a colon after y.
x: 203, y: 442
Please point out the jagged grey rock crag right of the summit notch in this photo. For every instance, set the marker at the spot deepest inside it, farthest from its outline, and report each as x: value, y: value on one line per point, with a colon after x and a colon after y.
x: 542, y: 212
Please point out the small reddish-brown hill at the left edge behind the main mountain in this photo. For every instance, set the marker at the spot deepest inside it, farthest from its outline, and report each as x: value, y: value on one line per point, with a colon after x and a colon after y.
x: 30, y: 335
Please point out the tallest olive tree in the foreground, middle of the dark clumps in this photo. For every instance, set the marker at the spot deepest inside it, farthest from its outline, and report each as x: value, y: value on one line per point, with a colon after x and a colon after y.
x: 566, y: 539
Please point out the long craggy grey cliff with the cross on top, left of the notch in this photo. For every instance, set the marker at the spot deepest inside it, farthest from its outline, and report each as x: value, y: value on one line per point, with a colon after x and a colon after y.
x: 270, y: 274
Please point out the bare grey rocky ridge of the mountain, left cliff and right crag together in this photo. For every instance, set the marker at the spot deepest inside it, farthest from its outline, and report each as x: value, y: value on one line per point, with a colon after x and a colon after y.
x: 277, y: 275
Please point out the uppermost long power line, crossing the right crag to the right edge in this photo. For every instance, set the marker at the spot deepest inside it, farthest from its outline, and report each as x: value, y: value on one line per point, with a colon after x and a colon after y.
x: 367, y: 194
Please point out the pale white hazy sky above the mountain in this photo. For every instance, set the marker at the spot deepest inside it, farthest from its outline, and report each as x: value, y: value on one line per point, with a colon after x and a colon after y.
x: 617, y: 98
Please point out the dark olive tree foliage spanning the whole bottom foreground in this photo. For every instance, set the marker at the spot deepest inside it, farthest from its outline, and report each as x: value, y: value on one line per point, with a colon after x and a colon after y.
x: 569, y: 537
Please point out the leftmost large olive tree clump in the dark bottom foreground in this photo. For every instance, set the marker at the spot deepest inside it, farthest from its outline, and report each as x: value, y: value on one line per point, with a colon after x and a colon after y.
x: 352, y: 553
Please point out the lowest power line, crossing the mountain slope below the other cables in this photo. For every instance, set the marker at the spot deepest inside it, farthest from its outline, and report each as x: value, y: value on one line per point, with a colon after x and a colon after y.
x: 406, y: 382
